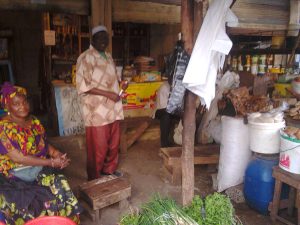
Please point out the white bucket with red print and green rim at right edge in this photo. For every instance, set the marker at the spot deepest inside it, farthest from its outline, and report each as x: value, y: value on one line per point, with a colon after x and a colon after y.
x: 289, y: 154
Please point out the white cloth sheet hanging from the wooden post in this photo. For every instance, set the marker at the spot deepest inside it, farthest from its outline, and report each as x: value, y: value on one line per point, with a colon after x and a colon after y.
x: 209, y: 51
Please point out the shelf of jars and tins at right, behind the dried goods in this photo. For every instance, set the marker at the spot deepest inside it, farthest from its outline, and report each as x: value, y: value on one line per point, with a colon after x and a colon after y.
x: 270, y: 71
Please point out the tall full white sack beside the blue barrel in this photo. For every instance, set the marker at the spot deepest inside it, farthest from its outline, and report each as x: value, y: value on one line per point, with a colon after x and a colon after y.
x: 235, y: 152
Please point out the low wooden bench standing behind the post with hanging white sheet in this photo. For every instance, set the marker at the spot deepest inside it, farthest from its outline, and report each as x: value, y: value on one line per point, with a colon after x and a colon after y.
x: 203, y: 154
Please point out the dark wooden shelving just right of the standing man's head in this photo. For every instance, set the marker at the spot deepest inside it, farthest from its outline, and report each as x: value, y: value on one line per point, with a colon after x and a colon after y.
x: 129, y: 40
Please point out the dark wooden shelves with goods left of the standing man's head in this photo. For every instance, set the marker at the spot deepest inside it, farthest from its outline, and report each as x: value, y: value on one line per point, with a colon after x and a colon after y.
x: 72, y: 37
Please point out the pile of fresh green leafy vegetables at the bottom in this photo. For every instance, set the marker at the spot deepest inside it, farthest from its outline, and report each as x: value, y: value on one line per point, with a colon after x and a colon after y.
x: 215, y: 209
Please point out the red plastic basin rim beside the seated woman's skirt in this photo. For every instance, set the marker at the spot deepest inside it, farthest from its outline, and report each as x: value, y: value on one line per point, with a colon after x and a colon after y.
x: 50, y: 220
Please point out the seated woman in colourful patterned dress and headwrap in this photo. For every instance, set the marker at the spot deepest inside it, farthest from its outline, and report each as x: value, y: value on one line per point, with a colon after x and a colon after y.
x: 30, y: 185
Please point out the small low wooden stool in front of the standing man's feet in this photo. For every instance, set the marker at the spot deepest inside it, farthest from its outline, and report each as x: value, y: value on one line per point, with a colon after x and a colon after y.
x: 103, y: 192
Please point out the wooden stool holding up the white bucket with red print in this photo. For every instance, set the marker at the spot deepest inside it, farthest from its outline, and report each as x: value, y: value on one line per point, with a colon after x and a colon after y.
x: 293, y: 180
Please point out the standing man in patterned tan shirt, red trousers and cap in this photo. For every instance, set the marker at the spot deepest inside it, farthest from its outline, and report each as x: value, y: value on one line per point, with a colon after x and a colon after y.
x: 98, y: 87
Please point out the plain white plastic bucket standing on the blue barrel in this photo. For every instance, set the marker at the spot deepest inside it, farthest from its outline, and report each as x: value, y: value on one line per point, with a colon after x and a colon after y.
x: 265, y: 137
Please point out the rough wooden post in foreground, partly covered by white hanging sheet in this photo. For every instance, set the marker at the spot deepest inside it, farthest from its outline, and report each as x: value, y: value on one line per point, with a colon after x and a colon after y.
x: 189, y: 117
